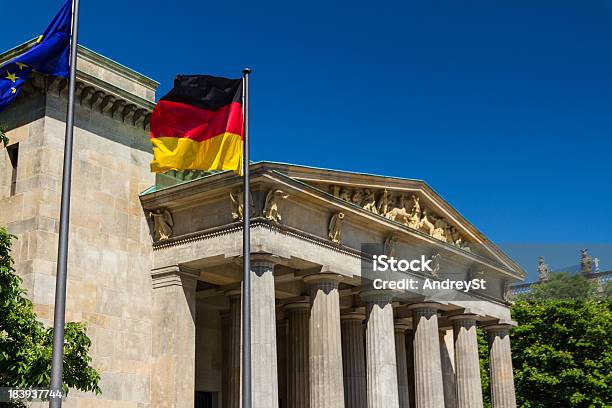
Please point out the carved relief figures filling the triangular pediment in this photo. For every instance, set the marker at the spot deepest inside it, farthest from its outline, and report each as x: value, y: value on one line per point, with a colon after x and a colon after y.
x: 405, y: 210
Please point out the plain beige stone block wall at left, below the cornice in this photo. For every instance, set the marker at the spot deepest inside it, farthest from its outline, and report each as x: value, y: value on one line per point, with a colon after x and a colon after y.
x: 109, y: 284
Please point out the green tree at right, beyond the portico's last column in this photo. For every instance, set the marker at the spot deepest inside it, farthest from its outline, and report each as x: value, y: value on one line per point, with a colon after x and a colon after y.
x: 561, y: 349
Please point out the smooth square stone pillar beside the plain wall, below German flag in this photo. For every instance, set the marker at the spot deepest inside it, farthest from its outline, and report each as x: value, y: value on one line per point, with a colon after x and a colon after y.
x: 173, y: 348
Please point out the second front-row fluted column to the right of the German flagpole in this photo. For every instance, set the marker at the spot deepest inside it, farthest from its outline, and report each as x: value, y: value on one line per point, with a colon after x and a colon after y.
x: 326, y: 388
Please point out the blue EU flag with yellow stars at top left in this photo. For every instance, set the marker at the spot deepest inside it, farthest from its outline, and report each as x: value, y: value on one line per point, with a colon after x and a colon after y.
x: 48, y: 56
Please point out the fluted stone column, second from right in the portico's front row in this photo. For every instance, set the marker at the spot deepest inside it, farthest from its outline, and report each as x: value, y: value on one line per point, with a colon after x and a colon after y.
x: 467, y: 363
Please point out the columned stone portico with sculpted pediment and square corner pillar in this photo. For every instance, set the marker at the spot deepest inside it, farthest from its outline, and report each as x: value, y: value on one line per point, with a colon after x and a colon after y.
x: 319, y: 337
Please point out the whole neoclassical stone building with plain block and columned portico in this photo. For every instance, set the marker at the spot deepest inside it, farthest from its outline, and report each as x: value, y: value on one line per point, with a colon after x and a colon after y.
x: 155, y: 268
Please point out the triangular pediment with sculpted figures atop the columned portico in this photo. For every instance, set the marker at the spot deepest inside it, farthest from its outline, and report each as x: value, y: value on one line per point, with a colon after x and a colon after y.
x: 410, y: 203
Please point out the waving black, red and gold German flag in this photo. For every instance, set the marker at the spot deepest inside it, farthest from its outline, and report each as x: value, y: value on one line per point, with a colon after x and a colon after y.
x: 199, y: 125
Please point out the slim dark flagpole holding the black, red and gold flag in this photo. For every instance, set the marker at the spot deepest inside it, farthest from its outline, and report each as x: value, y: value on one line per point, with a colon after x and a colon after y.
x: 246, y: 251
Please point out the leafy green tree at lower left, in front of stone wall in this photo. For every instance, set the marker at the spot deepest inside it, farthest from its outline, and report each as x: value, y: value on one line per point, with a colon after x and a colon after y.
x: 26, y: 344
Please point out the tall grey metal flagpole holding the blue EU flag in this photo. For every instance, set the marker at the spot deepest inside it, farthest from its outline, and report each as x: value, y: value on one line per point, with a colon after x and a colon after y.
x: 59, y: 316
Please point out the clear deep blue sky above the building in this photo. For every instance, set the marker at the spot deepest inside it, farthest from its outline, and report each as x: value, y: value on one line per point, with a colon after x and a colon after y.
x: 504, y: 108
